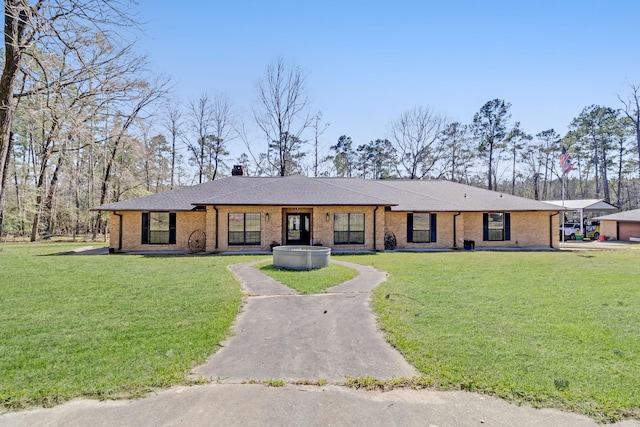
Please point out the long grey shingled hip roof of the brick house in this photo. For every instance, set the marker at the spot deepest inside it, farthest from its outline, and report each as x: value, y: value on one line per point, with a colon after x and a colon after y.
x: 398, y: 195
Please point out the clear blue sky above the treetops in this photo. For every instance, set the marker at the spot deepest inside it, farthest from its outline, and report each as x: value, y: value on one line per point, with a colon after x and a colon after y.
x: 367, y: 62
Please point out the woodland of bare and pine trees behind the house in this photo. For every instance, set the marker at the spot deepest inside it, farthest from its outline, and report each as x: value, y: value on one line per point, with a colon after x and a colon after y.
x: 86, y: 120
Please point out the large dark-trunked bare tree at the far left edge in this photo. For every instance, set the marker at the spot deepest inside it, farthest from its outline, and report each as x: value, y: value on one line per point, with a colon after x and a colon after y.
x: 48, y: 28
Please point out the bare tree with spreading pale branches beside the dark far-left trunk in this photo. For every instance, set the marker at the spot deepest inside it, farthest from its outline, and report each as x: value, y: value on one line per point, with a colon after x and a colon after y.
x: 63, y: 98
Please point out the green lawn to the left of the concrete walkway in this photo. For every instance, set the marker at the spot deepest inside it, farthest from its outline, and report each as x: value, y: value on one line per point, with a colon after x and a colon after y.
x: 106, y: 326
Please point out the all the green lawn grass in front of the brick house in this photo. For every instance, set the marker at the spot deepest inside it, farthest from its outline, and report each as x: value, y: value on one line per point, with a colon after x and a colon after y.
x: 549, y: 329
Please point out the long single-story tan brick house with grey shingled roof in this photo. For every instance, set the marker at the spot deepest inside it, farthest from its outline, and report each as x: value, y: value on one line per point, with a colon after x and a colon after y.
x: 248, y: 214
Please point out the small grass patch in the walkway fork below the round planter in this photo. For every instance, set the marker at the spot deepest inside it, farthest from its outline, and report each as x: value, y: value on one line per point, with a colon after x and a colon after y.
x: 309, y: 281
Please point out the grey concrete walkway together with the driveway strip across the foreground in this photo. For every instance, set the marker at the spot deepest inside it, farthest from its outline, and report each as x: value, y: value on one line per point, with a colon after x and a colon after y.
x: 301, y: 338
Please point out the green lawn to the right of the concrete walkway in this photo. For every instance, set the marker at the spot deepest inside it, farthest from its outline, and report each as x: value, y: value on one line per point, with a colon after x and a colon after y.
x: 550, y: 329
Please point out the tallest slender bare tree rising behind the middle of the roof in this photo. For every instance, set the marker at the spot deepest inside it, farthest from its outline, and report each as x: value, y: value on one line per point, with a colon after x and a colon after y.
x: 282, y: 113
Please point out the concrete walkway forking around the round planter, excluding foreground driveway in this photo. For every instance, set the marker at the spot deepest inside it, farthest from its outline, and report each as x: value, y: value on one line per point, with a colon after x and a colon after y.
x: 293, y: 337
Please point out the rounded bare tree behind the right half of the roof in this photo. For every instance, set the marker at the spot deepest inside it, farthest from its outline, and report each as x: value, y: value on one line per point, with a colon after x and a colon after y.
x: 416, y: 138
